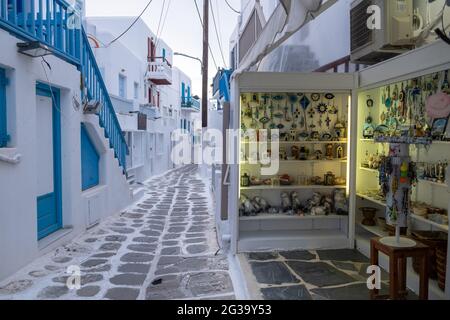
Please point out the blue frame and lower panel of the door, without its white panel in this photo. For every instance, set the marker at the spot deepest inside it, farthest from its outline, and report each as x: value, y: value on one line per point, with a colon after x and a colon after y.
x: 51, y: 204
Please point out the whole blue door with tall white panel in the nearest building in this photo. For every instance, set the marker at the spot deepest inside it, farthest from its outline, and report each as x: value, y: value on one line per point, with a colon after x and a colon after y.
x: 48, y: 155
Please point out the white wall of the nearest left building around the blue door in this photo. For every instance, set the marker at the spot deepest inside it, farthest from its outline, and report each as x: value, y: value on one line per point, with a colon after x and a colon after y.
x: 18, y: 187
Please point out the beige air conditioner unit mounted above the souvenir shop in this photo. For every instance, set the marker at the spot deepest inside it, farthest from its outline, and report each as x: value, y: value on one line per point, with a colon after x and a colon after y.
x: 396, y: 35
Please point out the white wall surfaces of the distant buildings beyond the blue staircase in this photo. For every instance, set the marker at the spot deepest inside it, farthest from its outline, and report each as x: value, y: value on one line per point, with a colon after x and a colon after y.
x: 128, y: 57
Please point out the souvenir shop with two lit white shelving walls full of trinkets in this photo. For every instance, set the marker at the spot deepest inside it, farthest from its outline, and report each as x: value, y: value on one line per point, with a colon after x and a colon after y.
x: 361, y: 156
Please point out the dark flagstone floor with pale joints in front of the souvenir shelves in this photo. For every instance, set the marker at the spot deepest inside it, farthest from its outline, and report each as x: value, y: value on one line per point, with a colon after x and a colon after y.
x: 311, y: 275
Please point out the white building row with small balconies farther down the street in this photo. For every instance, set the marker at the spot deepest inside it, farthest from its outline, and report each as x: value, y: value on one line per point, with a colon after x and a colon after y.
x: 152, y: 97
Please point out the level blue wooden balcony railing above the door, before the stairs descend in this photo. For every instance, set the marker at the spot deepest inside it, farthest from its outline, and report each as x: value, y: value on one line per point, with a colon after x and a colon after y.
x: 52, y: 22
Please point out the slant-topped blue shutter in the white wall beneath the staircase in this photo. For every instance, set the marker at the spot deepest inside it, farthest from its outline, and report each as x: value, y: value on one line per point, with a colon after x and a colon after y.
x: 89, y: 162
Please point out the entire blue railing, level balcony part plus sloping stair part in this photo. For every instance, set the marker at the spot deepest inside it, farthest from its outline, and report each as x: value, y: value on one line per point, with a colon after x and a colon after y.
x: 56, y: 24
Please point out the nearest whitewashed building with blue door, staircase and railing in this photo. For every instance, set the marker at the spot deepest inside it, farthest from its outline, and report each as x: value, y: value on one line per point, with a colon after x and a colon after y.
x: 62, y: 152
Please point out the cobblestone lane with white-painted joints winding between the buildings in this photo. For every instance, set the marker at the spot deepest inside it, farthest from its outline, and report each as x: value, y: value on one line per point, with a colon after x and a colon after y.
x: 162, y: 248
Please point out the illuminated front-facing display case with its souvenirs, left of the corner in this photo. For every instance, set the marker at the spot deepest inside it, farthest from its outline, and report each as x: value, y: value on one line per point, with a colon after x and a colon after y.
x: 304, y: 202
